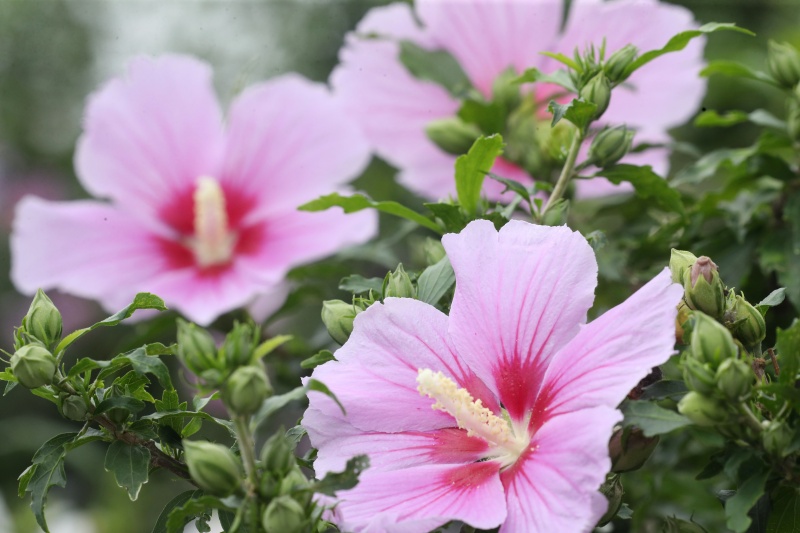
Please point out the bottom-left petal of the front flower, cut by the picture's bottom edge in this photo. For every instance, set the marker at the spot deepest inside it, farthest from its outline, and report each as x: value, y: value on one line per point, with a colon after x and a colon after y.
x: 424, y: 497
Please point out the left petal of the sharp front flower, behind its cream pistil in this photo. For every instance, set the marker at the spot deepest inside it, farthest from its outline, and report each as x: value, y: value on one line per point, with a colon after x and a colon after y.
x: 375, y: 375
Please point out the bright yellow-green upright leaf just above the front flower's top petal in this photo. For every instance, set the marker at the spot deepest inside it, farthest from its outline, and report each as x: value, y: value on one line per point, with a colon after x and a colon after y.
x: 471, y: 170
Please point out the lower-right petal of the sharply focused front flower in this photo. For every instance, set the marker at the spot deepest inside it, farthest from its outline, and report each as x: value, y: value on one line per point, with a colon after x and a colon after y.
x: 555, y: 487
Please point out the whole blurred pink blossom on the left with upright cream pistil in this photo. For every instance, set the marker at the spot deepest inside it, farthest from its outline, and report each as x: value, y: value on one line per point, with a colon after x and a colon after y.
x: 200, y: 212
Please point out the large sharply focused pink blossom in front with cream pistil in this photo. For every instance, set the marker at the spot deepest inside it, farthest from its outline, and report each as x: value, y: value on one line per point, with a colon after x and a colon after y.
x: 500, y: 413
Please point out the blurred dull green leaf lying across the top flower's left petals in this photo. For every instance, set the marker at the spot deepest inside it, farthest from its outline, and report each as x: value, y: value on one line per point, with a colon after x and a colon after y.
x: 437, y: 66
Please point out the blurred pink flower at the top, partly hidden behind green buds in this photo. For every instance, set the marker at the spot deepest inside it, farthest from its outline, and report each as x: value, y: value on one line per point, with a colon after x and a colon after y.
x: 489, y: 36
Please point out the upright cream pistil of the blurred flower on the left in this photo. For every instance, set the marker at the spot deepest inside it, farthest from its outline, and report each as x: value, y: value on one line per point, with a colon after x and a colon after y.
x: 212, y: 242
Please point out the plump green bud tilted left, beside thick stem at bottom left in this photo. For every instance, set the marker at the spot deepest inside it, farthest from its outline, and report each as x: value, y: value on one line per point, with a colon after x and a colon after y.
x: 213, y: 467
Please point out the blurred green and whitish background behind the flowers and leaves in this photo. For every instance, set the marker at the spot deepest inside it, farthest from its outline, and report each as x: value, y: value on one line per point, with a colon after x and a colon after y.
x: 53, y: 54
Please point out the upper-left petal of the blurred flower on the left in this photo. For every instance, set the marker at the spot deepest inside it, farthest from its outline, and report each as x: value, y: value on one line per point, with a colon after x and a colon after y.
x: 150, y: 134
